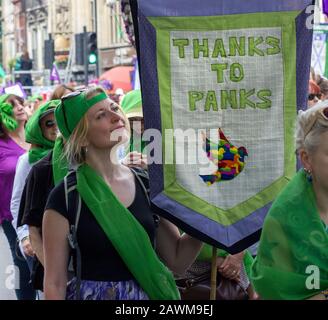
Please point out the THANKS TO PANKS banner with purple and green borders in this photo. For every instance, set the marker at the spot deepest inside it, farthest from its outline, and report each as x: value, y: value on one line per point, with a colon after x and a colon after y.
x: 227, y: 78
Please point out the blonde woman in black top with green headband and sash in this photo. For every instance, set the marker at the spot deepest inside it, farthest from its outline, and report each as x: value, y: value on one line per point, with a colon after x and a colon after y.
x: 117, y: 230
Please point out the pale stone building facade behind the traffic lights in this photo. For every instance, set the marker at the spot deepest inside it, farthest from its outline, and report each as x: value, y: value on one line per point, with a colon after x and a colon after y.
x: 26, y: 24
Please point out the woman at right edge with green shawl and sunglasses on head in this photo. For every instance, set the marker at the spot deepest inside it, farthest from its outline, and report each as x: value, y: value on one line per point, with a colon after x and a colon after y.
x: 292, y: 259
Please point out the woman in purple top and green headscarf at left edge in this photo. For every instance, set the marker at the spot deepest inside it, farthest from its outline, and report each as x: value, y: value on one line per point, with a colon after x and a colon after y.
x: 12, y: 145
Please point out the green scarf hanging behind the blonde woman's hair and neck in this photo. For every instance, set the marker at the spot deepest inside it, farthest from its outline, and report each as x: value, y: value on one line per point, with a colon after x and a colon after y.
x: 59, y: 164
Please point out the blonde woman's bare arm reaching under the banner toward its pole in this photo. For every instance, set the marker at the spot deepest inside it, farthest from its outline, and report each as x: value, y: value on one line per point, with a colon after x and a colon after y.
x: 177, y: 251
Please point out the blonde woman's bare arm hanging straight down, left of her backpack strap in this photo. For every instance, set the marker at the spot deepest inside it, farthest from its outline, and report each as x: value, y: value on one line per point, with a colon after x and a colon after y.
x: 55, y: 230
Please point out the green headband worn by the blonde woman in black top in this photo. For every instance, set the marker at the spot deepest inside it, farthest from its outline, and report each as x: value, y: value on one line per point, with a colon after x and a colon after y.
x: 72, y: 109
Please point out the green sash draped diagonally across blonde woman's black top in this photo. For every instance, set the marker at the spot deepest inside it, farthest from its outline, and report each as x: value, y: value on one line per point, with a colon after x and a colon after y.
x: 127, y: 236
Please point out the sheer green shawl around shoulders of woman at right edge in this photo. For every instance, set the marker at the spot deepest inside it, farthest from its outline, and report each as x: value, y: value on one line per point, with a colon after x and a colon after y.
x: 293, y: 238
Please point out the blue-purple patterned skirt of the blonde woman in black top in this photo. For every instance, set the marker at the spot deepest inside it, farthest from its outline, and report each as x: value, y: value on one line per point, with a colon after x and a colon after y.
x: 103, y: 290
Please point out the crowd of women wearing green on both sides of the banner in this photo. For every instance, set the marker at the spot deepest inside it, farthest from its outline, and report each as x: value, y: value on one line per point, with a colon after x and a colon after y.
x: 80, y: 225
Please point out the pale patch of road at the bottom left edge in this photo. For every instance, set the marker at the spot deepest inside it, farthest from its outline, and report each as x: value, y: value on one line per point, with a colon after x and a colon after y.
x: 5, y: 261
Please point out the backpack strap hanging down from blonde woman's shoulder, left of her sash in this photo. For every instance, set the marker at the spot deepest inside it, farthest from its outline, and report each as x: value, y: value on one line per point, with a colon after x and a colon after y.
x: 73, y: 206
